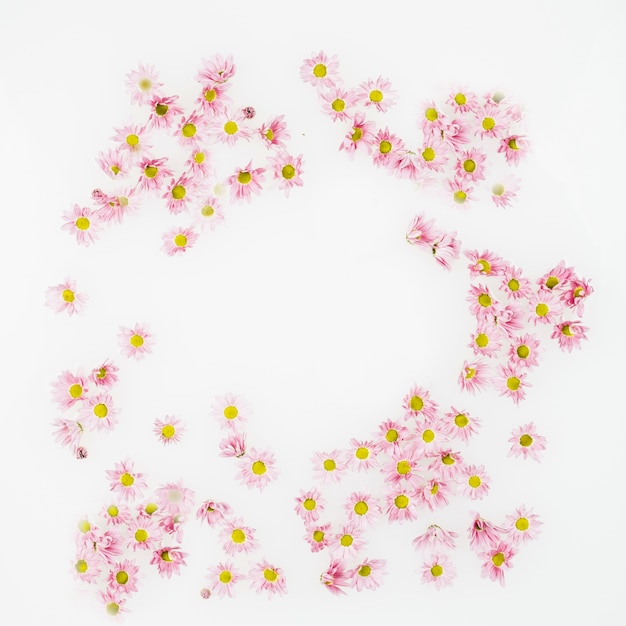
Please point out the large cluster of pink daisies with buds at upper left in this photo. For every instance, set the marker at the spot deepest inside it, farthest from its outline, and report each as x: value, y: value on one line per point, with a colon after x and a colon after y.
x: 143, y: 171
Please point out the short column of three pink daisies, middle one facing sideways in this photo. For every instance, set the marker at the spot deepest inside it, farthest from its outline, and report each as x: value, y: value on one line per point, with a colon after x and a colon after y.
x: 255, y: 467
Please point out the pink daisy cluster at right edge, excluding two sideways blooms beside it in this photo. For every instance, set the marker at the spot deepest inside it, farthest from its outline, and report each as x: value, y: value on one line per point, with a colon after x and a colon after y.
x: 512, y: 313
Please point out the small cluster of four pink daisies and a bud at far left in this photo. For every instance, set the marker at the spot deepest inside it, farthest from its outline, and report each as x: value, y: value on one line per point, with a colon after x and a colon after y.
x: 87, y: 404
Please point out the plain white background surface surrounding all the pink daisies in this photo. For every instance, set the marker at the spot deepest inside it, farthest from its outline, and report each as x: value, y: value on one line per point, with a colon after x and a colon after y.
x: 314, y: 307
